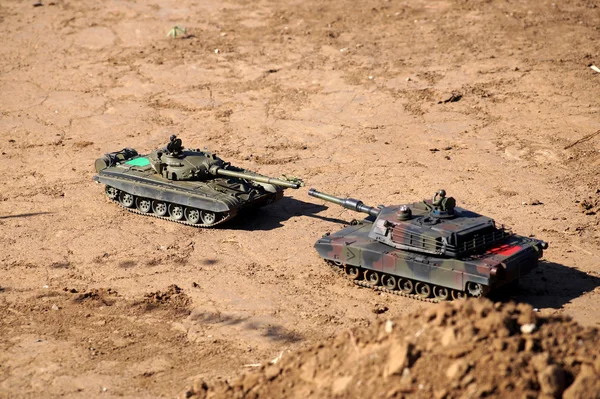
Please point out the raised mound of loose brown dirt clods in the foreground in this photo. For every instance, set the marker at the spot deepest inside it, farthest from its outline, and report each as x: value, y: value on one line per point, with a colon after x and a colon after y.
x: 469, y: 348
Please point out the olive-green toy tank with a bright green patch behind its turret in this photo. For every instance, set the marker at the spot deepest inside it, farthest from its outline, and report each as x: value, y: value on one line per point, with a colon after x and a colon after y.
x: 188, y: 186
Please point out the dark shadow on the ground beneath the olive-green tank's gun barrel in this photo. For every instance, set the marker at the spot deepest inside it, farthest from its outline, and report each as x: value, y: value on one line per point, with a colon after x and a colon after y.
x: 272, y: 216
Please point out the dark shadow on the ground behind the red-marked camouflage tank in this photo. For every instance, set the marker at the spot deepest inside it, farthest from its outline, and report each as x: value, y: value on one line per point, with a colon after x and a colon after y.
x: 551, y: 285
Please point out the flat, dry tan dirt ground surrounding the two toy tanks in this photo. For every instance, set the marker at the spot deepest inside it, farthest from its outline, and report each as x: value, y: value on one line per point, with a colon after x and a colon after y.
x: 386, y: 101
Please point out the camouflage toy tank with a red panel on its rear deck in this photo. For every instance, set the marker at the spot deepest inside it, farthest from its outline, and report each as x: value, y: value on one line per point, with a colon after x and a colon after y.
x: 429, y: 249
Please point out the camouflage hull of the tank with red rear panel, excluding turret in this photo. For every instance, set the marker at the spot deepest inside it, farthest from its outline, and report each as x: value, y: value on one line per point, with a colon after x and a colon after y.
x: 476, y: 275
